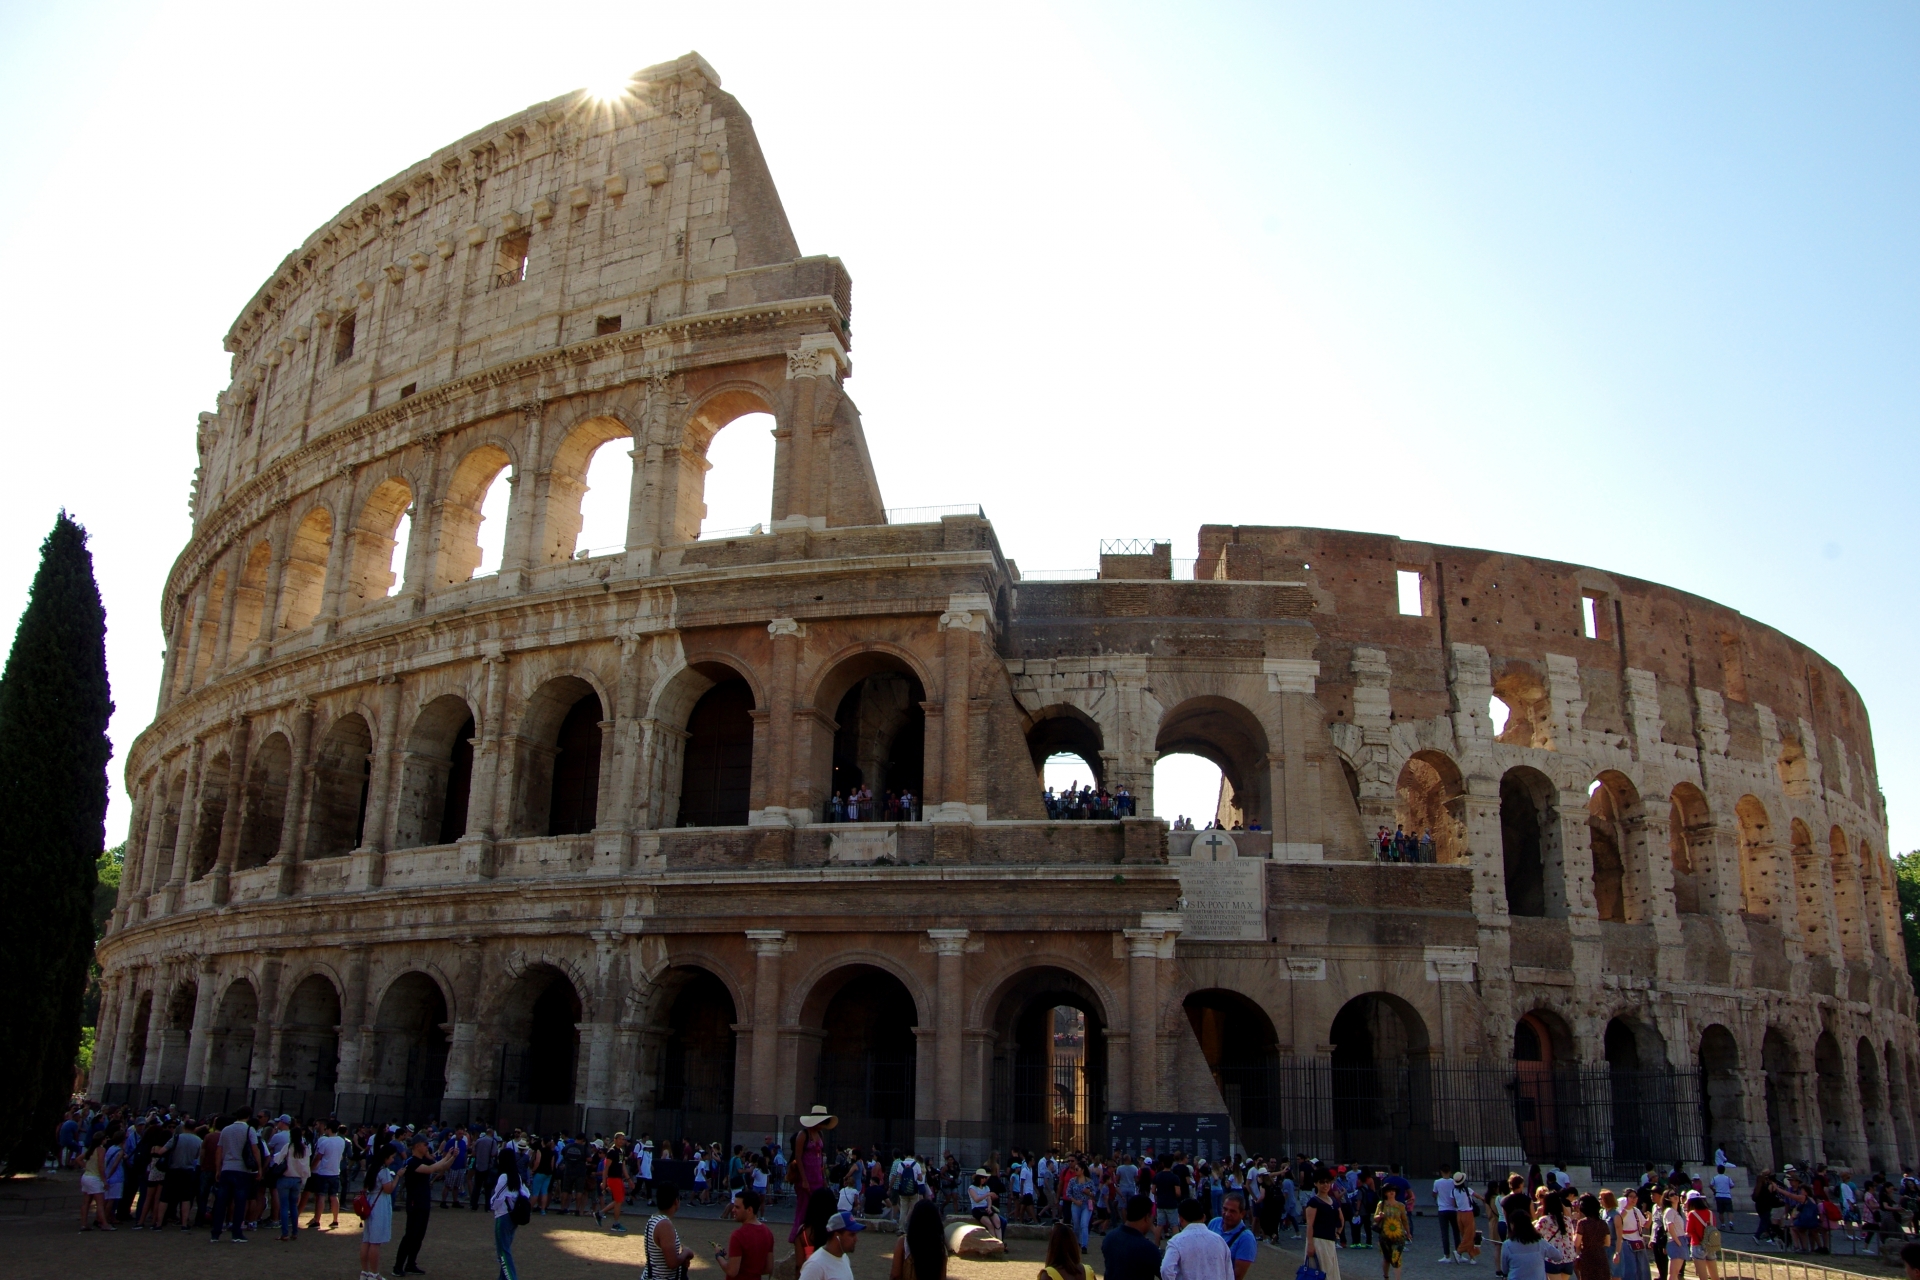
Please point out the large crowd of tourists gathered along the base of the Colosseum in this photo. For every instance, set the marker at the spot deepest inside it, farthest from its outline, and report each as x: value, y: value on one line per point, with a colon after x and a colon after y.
x: 1168, y: 1218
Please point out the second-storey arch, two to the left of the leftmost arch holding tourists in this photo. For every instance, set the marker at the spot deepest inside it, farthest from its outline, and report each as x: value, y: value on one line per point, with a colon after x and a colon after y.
x: 560, y: 755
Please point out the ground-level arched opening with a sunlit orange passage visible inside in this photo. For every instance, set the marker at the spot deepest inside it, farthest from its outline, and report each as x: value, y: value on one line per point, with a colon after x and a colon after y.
x: 1049, y: 1062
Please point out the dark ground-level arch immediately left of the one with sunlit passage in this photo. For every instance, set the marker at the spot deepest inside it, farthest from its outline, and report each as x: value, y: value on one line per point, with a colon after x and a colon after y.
x: 869, y: 1056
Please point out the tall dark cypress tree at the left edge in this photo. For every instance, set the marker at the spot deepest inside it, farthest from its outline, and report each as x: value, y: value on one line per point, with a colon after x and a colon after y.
x: 55, y: 707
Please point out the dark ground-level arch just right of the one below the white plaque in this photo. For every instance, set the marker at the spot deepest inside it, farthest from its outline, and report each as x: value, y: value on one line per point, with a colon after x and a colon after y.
x: 1381, y: 1093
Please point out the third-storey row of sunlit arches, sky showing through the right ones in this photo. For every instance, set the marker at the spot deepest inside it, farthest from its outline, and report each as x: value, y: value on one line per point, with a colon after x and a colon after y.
x: 350, y: 552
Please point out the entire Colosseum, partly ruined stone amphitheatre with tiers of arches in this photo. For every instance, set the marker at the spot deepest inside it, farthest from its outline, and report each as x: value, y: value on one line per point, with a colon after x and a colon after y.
x: 550, y: 840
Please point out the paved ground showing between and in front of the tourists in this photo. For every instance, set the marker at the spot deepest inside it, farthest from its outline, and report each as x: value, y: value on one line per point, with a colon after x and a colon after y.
x: 47, y: 1244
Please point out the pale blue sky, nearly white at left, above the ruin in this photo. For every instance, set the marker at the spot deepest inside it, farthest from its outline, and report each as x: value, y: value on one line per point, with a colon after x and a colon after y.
x: 1621, y: 285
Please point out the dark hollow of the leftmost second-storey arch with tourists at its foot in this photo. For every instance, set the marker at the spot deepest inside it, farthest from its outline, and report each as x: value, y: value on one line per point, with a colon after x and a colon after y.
x: 880, y: 736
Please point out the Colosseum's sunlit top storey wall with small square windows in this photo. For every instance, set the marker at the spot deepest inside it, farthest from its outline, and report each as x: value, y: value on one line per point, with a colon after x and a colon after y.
x: 625, y: 214
